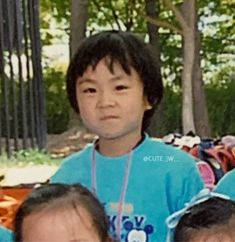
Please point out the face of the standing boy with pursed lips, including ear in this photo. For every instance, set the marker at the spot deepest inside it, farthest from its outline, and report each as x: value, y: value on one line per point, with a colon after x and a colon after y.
x: 111, y: 105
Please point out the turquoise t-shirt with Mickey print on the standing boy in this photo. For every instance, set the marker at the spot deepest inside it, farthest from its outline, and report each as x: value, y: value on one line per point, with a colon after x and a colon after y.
x: 161, y: 180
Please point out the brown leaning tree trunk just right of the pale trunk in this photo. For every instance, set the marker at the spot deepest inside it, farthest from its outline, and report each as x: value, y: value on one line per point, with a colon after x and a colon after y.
x: 200, y: 105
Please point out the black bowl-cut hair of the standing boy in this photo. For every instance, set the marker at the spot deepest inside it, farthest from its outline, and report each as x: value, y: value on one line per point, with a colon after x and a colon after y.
x: 127, y: 50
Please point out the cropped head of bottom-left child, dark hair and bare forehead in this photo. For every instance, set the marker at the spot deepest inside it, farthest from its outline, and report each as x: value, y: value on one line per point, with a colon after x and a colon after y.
x: 58, y: 212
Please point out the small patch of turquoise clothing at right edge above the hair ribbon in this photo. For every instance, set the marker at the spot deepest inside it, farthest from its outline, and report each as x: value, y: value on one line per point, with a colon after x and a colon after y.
x: 227, y: 185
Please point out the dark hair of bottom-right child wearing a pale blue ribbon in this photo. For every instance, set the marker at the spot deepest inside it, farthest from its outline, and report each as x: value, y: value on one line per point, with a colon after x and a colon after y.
x: 214, y: 213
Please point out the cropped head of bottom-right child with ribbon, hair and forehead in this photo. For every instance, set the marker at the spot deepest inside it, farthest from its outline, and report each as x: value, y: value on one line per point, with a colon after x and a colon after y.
x: 209, y: 221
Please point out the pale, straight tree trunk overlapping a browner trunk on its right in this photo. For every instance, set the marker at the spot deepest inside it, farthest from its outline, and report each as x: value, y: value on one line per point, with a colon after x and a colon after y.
x: 189, y: 39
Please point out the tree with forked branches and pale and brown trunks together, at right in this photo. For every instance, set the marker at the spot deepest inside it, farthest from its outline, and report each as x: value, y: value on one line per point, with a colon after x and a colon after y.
x: 194, y: 106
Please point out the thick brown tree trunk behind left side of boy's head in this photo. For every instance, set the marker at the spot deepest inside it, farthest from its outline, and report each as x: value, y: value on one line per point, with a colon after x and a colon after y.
x: 78, y: 22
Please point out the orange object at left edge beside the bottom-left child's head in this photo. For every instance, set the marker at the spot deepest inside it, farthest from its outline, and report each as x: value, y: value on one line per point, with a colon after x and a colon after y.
x: 10, y: 199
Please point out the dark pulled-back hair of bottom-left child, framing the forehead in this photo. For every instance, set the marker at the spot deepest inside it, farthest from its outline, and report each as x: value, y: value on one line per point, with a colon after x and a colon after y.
x: 54, y: 196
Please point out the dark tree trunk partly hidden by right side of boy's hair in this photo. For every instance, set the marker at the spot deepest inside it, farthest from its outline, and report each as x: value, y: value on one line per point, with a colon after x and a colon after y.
x: 152, y: 11
